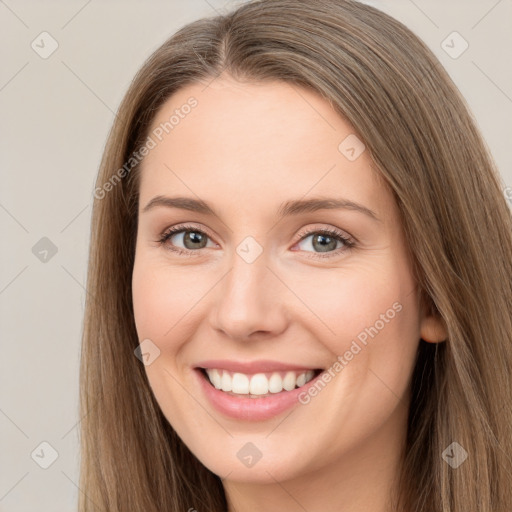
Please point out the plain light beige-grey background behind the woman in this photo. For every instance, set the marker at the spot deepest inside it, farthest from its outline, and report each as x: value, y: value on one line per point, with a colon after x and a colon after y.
x: 56, y: 113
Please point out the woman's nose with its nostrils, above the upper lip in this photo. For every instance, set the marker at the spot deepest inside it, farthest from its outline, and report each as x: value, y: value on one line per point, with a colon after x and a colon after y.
x: 251, y: 301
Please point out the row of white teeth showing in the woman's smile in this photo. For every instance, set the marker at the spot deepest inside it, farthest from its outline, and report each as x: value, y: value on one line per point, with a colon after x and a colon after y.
x: 257, y: 384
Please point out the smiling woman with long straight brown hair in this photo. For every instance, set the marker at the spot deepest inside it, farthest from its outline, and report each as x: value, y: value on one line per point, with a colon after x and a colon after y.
x: 300, y: 277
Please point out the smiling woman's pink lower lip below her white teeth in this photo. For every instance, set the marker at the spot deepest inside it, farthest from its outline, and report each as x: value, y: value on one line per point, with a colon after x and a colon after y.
x: 252, y: 409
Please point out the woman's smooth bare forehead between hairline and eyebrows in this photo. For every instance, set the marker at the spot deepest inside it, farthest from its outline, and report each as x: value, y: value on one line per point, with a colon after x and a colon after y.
x: 267, y: 141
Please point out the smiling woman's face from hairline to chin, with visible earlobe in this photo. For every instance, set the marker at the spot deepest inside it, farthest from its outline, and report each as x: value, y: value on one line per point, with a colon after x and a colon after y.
x: 261, y: 296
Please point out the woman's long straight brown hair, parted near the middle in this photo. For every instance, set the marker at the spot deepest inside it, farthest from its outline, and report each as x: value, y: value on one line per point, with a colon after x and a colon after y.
x: 423, y: 140
